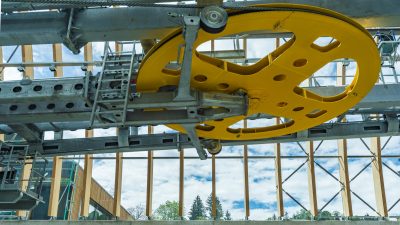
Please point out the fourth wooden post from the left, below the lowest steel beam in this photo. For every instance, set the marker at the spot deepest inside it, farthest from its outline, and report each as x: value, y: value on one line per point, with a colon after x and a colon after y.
x: 118, y: 185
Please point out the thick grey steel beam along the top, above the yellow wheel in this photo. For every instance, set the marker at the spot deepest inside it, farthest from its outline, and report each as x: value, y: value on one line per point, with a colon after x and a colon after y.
x: 135, y: 23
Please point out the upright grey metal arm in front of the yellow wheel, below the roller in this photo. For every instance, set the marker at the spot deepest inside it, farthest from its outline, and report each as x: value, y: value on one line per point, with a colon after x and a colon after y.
x: 191, y: 27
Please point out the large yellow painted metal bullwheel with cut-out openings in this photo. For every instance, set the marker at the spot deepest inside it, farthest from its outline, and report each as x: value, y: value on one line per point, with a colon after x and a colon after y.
x: 272, y: 83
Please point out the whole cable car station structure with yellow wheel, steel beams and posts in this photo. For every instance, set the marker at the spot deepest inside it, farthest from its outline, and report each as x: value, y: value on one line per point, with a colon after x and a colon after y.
x: 200, y: 94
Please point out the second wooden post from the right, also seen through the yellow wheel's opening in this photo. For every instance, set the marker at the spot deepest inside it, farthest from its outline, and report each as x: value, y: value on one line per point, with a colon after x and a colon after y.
x: 342, y: 152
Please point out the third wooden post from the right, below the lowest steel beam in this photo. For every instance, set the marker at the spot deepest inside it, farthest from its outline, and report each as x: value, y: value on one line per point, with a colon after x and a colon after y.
x: 312, y: 190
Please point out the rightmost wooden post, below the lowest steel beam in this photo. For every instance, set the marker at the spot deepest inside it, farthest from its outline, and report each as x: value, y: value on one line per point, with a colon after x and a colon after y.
x: 377, y: 174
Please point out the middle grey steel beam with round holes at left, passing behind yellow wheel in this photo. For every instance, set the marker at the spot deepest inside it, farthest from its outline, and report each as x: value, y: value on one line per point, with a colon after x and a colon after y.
x: 27, y: 104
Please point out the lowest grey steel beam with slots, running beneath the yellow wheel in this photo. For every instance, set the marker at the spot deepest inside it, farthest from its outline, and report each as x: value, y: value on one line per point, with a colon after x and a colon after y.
x: 169, y: 141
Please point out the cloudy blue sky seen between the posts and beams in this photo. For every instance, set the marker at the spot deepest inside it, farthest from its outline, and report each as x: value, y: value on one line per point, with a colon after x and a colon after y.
x: 230, y: 171
